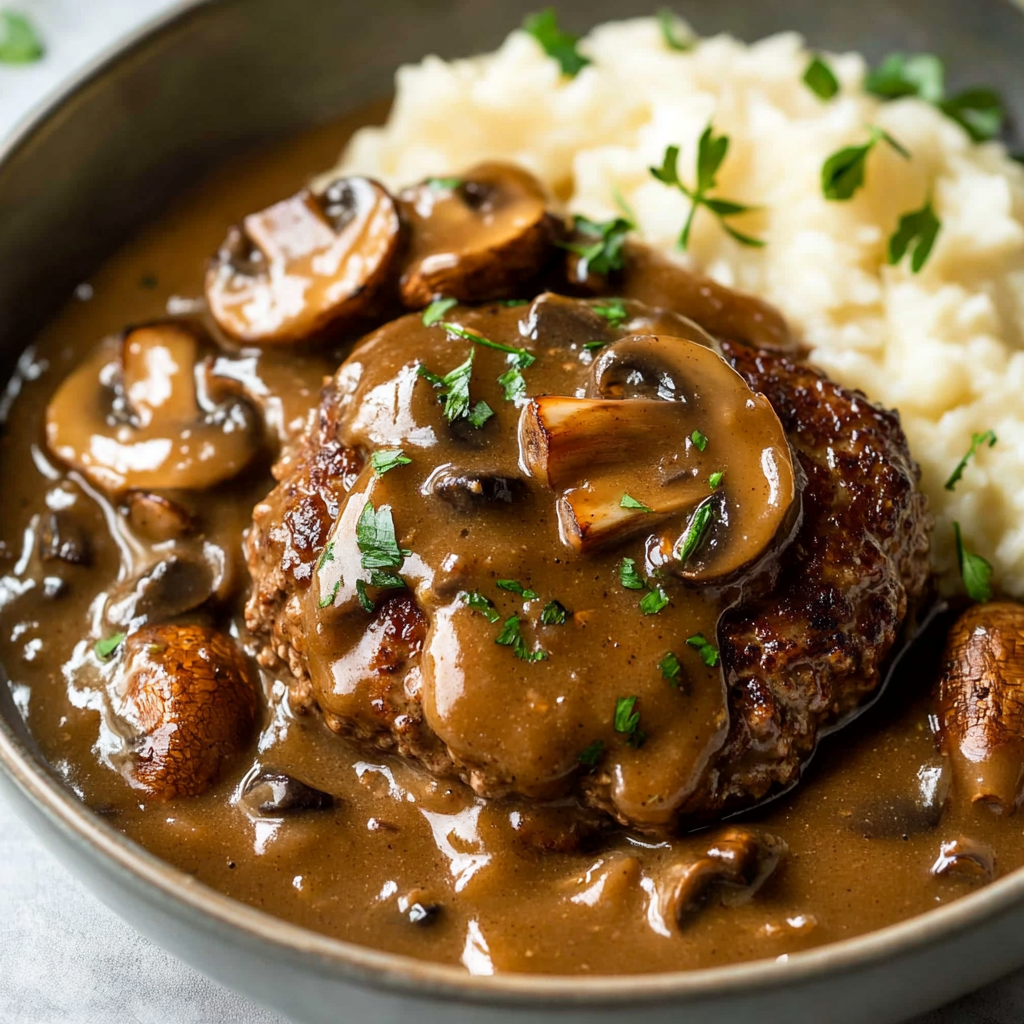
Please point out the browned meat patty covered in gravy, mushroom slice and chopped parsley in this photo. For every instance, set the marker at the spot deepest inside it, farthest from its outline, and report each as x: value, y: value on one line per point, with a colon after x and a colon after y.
x: 619, y: 692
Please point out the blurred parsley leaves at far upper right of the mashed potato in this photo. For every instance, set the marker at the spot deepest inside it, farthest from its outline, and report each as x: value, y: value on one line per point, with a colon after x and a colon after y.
x: 978, y: 111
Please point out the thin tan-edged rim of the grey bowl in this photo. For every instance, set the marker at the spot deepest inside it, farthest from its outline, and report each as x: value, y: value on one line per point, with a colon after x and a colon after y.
x: 185, y: 897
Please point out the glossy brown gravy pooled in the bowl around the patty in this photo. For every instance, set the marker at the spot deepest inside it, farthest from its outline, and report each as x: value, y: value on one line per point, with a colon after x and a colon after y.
x: 864, y: 828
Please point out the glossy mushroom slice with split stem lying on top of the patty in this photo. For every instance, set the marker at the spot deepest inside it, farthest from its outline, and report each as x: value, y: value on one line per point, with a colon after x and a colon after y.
x: 639, y: 455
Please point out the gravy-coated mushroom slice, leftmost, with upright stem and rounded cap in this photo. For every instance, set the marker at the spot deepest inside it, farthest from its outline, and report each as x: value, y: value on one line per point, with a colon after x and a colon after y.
x: 148, y: 417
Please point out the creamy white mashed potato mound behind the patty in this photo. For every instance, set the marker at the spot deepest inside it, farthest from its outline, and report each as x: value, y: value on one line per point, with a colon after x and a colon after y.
x: 946, y: 347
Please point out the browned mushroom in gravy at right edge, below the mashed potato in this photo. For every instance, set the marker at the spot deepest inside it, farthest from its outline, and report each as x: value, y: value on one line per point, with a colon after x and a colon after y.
x: 982, y: 705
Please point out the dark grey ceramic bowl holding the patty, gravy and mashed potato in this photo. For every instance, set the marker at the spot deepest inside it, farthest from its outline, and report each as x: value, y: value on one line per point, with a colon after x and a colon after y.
x: 108, y: 154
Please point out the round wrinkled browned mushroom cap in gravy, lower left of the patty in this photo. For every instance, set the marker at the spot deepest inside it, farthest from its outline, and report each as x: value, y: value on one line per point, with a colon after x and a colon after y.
x: 187, y: 697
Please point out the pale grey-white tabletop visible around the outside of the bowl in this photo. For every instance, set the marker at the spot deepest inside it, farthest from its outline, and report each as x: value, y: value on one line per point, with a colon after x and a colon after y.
x: 65, y: 959
